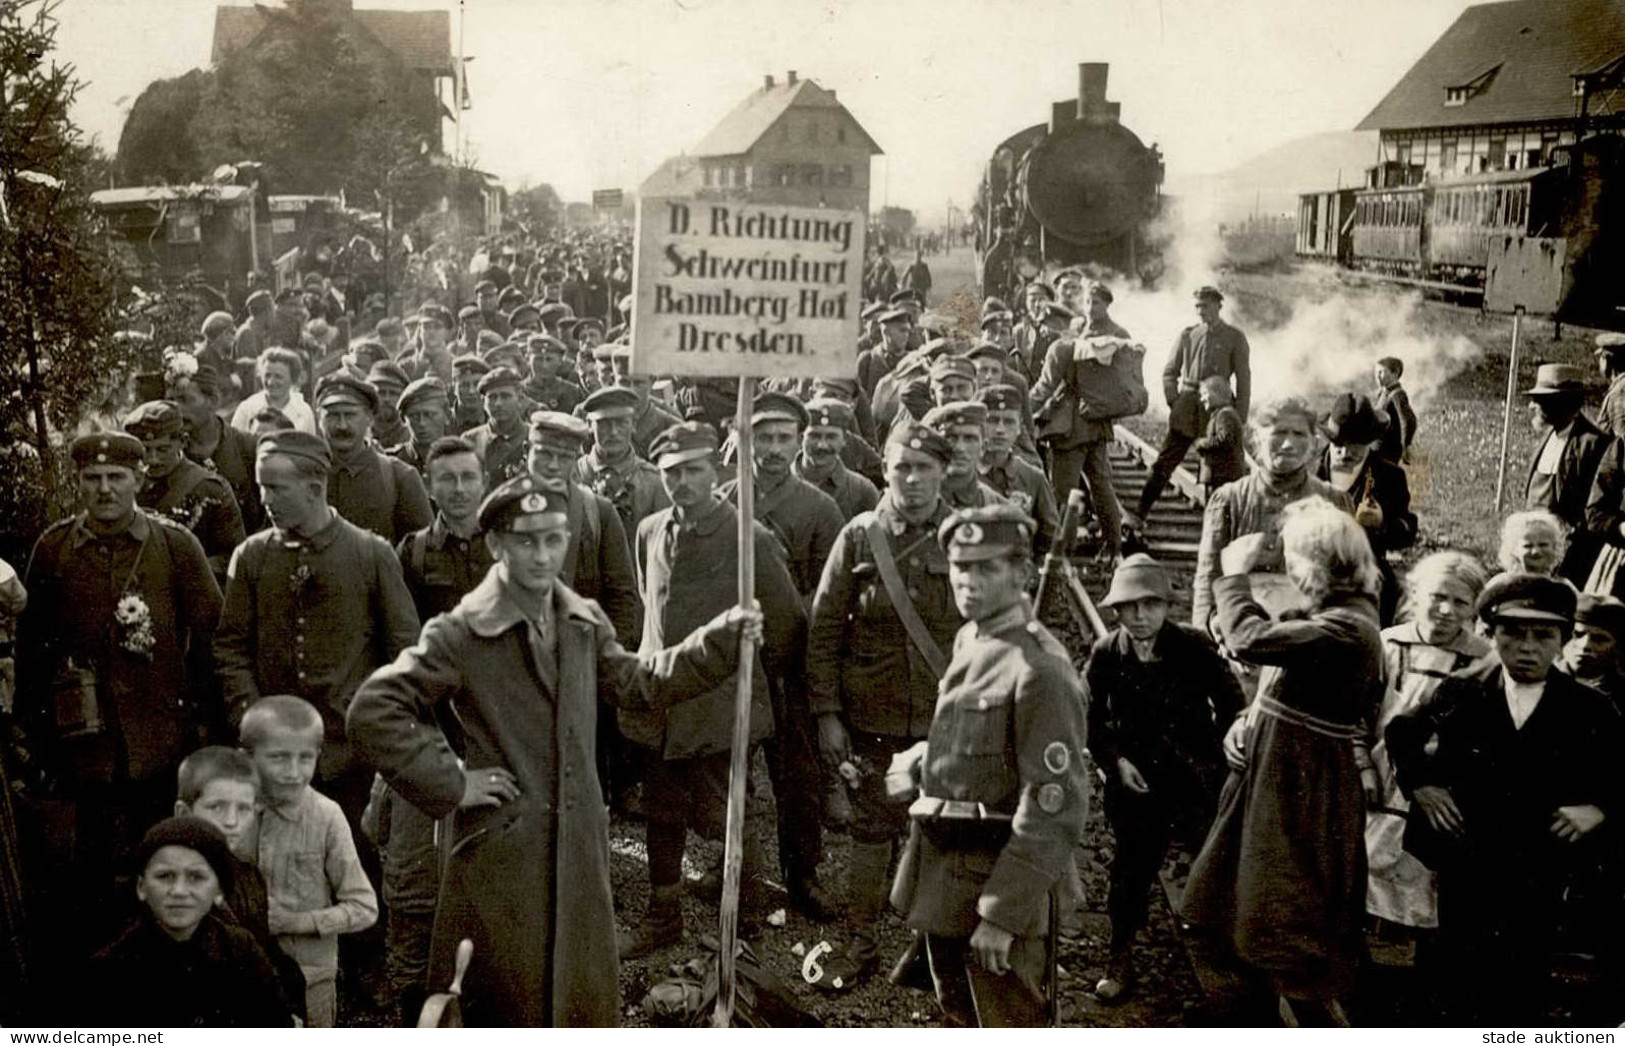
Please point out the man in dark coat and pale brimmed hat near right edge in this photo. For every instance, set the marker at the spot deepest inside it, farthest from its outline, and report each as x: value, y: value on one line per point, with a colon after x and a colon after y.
x: 1566, y: 464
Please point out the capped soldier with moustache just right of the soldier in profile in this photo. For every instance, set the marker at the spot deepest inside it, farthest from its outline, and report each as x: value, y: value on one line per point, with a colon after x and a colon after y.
x: 368, y: 488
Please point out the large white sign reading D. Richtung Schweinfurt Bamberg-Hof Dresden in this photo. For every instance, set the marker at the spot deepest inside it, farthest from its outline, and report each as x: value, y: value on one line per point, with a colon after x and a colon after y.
x: 747, y: 290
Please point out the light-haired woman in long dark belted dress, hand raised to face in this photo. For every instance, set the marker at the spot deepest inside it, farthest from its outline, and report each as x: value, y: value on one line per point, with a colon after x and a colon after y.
x: 1281, y: 880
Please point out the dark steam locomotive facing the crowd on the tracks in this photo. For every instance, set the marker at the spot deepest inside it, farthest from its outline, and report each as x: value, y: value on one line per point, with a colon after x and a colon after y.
x: 1078, y: 191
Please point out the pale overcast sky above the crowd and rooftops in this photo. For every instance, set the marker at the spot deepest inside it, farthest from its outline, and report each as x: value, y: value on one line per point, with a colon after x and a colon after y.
x: 596, y: 93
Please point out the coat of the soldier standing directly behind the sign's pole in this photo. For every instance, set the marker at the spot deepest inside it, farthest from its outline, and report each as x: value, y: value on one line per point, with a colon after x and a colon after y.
x: 691, y: 574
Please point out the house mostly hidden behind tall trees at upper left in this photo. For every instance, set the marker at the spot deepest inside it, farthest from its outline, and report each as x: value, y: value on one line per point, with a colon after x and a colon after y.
x: 420, y: 41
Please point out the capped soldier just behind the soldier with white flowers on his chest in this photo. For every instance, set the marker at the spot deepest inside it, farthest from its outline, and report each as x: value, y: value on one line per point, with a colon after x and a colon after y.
x: 183, y: 490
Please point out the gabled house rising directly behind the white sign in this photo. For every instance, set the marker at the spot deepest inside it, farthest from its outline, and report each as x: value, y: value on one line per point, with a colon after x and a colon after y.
x: 786, y: 144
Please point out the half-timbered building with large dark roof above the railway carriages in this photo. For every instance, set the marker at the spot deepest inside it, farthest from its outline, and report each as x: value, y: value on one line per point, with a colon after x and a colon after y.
x: 1502, y: 89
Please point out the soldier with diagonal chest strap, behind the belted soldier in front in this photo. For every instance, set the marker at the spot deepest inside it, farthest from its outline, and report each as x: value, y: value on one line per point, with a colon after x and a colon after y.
x: 882, y: 621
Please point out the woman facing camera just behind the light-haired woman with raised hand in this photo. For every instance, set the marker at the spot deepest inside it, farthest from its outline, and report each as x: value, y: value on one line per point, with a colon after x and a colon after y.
x: 1285, y: 443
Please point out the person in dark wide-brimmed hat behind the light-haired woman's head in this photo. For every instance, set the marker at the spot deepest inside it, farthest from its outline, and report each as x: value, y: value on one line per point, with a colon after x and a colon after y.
x: 1377, y: 486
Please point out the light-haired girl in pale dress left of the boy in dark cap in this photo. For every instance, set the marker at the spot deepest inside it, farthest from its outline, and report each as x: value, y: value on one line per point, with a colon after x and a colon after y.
x: 1436, y: 641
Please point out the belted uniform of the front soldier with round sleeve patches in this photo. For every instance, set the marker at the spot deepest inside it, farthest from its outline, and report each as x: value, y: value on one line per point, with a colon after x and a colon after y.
x: 1008, y: 735
